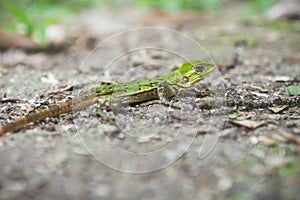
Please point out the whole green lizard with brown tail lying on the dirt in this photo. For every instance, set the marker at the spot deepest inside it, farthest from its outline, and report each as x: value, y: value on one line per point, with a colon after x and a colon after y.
x: 163, y: 88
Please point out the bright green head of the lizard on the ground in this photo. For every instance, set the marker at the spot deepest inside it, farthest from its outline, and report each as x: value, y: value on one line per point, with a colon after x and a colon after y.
x: 194, y: 71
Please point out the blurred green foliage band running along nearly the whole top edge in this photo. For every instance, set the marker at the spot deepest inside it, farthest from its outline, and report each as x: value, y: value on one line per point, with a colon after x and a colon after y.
x: 31, y: 17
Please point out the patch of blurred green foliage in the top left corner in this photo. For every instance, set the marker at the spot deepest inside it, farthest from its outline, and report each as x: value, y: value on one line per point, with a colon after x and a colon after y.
x: 31, y: 17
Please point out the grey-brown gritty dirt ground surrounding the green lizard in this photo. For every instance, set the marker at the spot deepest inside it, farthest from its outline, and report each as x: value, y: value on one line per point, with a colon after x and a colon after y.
x: 256, y: 130
